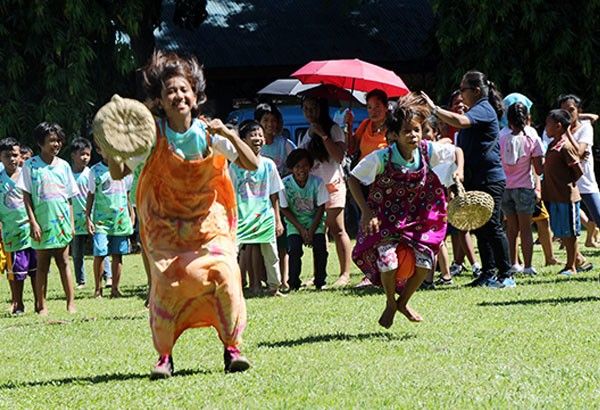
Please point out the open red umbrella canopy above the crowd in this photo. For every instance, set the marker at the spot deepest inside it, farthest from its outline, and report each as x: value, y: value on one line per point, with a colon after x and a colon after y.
x: 352, y: 74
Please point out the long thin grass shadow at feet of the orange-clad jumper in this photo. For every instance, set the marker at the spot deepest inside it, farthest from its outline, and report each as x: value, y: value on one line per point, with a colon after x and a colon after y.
x: 102, y: 378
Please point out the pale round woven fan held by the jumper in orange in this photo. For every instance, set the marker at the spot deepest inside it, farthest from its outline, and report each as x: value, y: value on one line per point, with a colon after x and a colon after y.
x: 124, y: 128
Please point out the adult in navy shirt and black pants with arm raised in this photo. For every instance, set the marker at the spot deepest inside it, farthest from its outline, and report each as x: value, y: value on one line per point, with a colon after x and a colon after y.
x: 478, y: 138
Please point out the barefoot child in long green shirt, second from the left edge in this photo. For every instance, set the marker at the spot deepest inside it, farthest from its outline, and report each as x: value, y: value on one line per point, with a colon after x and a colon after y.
x: 48, y: 186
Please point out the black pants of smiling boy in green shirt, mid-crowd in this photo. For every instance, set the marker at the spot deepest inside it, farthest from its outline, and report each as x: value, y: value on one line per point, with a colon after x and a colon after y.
x: 295, y: 252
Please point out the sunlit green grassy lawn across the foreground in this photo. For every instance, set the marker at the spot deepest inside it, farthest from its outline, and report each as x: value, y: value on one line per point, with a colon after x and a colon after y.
x: 537, y: 345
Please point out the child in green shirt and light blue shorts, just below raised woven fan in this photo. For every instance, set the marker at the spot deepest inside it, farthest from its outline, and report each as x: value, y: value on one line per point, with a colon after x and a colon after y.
x: 108, y: 216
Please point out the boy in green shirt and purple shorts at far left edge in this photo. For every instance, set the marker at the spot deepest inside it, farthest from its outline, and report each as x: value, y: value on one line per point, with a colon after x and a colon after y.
x: 21, y: 257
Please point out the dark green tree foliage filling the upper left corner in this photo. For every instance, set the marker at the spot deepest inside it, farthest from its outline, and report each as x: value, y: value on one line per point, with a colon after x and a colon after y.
x: 62, y: 59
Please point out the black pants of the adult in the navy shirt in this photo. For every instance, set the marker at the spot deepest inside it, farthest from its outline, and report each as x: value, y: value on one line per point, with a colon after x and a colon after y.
x: 491, y: 237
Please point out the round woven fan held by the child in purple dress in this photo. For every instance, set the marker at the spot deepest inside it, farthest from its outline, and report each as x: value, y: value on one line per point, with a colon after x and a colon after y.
x: 470, y: 210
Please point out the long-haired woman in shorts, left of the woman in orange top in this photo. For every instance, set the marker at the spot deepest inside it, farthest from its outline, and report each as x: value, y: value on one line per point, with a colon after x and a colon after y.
x: 326, y: 142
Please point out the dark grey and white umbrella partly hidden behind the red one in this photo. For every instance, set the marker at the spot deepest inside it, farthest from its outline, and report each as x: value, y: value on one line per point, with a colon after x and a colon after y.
x: 291, y: 86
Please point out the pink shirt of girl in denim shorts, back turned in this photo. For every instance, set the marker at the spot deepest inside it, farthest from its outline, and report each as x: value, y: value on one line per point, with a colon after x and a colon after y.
x: 516, y: 152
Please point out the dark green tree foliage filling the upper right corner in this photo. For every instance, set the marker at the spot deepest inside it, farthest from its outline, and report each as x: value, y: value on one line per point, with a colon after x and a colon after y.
x: 541, y: 48
